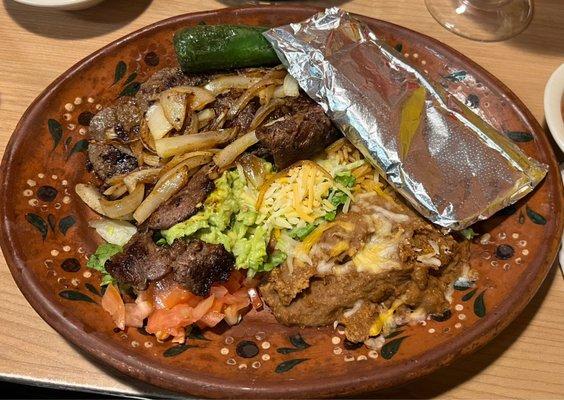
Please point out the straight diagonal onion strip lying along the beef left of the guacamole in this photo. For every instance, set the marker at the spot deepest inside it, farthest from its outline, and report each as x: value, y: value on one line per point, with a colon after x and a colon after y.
x: 164, y: 190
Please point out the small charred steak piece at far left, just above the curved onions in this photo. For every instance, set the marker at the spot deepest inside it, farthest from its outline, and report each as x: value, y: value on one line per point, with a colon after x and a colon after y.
x: 110, y: 159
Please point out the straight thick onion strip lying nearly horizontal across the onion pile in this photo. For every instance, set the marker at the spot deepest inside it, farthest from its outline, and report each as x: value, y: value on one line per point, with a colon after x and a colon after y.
x: 171, y: 146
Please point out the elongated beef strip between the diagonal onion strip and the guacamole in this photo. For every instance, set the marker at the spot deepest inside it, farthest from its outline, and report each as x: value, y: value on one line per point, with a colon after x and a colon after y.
x: 186, y: 202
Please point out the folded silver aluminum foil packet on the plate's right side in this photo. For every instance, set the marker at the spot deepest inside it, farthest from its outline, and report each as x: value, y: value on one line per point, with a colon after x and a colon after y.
x: 452, y: 166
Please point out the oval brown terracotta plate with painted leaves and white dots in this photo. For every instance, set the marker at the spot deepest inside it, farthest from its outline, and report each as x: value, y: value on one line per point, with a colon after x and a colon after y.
x: 46, y: 239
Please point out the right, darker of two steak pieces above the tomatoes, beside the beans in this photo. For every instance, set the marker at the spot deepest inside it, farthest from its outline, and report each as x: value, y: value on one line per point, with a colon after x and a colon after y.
x: 202, y: 264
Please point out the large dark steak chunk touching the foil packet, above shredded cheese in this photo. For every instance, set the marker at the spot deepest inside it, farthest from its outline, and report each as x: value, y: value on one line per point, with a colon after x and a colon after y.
x: 304, y: 131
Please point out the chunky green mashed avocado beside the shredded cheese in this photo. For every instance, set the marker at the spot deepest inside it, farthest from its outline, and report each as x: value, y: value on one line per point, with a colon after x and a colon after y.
x: 229, y: 217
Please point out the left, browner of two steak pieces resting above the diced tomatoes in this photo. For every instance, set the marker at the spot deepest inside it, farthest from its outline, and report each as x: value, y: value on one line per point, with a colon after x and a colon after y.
x: 142, y: 260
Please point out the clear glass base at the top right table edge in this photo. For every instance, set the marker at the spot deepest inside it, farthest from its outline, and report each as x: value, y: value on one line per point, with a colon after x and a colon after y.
x: 483, y: 20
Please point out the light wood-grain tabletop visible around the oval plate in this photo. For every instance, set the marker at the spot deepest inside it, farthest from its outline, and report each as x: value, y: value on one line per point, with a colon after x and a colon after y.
x: 525, y: 361
